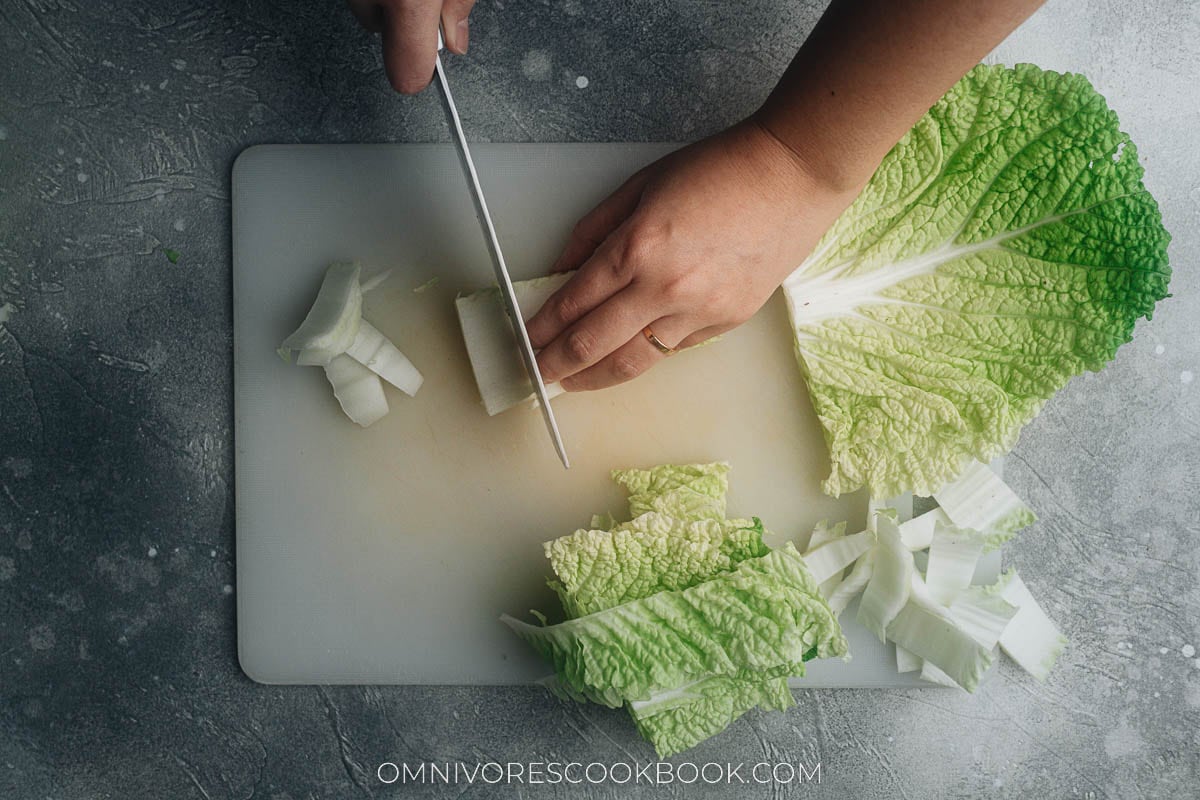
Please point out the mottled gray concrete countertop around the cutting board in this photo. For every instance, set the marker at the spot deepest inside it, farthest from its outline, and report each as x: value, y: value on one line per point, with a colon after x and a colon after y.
x: 118, y: 672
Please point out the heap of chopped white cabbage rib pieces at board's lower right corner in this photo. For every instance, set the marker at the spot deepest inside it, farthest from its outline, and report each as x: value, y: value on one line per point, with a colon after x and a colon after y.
x: 941, y: 624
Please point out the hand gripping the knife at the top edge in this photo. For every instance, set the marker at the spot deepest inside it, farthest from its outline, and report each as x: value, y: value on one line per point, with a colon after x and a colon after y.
x: 410, y: 31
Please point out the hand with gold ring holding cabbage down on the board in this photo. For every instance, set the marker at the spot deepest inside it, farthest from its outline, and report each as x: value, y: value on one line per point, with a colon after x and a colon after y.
x: 691, y: 246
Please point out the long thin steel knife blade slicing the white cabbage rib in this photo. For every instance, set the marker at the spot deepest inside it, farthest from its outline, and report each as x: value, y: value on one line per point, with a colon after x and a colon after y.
x: 494, y: 249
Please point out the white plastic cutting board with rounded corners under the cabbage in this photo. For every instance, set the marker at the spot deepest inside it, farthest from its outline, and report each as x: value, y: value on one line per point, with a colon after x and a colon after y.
x: 385, y: 556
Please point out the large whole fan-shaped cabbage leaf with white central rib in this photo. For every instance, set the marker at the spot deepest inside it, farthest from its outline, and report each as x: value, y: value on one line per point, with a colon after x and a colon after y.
x: 1004, y: 246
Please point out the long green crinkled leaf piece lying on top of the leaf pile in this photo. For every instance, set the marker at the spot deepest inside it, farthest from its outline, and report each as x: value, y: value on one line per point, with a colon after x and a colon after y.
x: 765, y: 615
